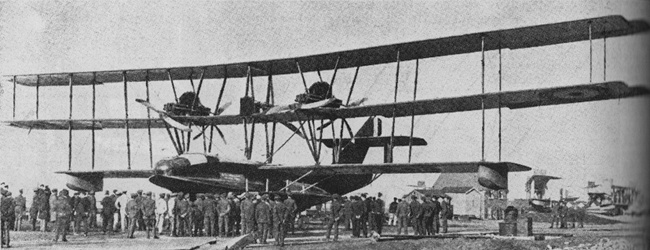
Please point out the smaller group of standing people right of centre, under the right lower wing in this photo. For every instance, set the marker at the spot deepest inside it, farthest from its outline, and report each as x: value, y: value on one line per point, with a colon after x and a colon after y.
x: 364, y: 214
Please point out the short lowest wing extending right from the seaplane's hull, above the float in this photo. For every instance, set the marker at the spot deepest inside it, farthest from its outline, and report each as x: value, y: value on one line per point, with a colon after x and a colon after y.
x: 394, y: 168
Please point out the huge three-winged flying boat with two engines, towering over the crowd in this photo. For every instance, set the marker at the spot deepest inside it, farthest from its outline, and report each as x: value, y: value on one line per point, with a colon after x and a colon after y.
x: 314, y: 183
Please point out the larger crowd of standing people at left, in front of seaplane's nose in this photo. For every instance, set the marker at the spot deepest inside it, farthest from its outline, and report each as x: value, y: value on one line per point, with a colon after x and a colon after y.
x: 209, y: 214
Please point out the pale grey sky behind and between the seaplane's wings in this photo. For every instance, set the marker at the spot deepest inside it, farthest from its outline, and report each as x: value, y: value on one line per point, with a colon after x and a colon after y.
x: 578, y: 142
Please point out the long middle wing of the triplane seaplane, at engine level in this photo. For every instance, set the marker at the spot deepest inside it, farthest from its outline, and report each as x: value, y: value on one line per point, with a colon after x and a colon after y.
x: 509, y: 99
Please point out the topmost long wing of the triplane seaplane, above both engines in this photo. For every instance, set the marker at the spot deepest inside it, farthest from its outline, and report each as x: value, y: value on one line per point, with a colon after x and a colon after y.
x: 526, y: 37
